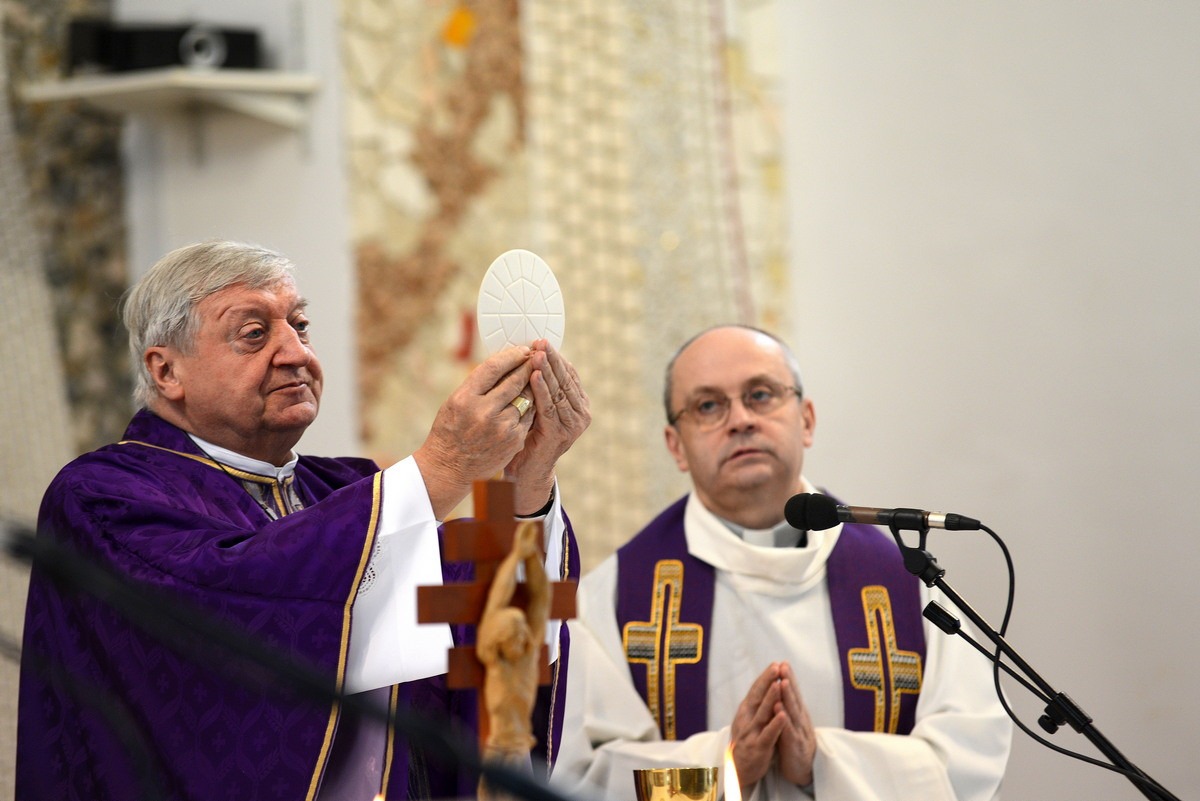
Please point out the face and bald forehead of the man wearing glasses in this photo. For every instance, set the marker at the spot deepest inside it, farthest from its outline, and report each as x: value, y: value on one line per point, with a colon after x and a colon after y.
x: 747, y: 468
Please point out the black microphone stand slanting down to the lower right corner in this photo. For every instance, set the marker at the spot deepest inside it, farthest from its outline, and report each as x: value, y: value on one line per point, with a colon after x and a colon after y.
x: 1061, y: 708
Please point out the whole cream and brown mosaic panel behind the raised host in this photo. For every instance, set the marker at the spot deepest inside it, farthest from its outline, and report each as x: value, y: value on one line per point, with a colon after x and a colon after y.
x: 633, y: 146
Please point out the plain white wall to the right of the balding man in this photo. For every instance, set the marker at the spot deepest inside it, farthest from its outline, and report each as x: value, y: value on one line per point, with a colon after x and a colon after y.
x: 995, y: 227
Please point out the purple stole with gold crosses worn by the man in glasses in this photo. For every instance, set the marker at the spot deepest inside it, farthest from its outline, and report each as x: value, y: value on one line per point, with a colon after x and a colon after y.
x: 665, y: 613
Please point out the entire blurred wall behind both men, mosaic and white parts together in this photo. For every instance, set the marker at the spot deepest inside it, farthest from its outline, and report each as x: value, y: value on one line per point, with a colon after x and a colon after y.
x: 977, y: 224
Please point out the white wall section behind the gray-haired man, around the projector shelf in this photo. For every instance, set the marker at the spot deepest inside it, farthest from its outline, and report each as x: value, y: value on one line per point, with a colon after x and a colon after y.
x: 231, y: 177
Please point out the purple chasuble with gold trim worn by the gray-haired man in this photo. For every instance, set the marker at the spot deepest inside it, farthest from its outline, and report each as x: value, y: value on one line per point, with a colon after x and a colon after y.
x: 157, y: 511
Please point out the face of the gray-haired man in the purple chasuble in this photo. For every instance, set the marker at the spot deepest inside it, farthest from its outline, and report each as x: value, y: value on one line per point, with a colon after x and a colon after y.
x: 251, y: 382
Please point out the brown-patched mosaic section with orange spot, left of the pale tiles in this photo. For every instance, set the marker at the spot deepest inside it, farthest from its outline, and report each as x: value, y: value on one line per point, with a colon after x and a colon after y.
x: 439, y: 186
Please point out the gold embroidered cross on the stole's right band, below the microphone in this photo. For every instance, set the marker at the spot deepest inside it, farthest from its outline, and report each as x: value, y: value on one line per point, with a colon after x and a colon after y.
x: 883, y: 667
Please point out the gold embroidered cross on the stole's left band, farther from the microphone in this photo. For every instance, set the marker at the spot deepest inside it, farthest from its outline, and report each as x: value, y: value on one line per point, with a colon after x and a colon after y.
x: 663, y: 642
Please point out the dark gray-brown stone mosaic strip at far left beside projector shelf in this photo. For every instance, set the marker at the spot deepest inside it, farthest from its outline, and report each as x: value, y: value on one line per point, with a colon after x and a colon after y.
x: 73, y: 166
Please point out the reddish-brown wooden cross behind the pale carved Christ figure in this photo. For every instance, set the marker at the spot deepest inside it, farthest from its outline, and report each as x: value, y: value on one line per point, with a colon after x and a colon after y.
x: 485, y: 540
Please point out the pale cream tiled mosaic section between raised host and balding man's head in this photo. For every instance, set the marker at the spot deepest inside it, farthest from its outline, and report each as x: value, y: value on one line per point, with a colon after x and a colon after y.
x: 644, y: 188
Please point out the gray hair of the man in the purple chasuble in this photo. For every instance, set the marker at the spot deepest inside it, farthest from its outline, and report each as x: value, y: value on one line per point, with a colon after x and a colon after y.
x: 160, y: 310
